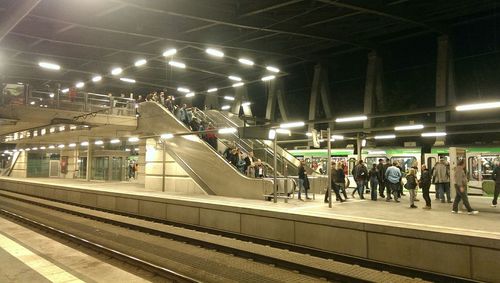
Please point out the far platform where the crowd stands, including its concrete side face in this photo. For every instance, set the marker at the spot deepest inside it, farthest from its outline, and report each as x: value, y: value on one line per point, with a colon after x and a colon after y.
x: 436, y: 240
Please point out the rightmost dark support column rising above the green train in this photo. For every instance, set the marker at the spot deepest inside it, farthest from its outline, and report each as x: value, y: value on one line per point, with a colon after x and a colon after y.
x: 445, y: 83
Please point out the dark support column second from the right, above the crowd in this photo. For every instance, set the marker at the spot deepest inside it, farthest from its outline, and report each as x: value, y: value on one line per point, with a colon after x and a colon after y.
x: 373, y: 99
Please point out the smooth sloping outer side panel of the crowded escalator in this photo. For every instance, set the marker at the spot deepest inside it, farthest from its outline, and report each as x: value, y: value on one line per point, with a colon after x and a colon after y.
x: 207, y: 168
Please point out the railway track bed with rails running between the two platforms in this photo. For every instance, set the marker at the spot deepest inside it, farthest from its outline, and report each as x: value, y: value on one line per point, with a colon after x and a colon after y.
x: 309, y: 265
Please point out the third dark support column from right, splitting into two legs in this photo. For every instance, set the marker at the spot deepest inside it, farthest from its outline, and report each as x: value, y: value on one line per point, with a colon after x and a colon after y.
x: 320, y: 90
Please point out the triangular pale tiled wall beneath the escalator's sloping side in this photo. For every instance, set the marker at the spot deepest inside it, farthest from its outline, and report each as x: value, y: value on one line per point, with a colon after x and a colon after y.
x: 176, y: 179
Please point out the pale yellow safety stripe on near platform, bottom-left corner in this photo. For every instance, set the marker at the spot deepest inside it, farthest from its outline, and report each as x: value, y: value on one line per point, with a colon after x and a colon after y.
x: 44, y: 267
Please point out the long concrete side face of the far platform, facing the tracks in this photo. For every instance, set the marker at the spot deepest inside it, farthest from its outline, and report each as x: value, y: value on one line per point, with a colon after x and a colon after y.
x: 466, y: 256
